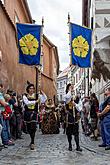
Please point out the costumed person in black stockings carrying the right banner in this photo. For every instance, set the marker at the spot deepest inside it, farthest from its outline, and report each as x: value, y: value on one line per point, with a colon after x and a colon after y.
x: 72, y: 116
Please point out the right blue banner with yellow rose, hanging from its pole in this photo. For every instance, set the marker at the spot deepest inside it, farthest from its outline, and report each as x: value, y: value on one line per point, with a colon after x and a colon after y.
x: 81, y: 45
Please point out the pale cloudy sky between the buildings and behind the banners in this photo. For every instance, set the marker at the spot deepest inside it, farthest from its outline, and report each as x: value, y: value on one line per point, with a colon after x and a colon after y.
x: 55, y: 13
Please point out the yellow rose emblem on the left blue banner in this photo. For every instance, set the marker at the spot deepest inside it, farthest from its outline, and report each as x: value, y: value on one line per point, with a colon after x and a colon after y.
x: 29, y: 44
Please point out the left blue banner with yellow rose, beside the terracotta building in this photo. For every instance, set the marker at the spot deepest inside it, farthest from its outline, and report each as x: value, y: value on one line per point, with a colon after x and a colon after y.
x: 29, y: 43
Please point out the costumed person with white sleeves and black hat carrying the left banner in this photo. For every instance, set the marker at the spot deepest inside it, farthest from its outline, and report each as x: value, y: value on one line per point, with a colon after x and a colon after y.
x: 30, y: 113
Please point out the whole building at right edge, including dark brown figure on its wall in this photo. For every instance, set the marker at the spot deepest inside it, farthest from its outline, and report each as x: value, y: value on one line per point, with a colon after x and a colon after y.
x: 99, y: 19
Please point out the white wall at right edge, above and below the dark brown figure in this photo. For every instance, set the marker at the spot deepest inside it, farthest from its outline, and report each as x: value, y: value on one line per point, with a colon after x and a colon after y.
x: 100, y: 12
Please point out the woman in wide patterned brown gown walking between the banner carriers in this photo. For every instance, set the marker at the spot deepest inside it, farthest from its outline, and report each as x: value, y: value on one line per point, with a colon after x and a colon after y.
x: 49, y: 123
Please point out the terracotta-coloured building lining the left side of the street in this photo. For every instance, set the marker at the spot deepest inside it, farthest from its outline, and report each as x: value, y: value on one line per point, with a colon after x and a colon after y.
x: 15, y: 75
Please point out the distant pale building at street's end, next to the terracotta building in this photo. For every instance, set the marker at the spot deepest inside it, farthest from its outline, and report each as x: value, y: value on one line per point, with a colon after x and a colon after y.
x: 61, y: 84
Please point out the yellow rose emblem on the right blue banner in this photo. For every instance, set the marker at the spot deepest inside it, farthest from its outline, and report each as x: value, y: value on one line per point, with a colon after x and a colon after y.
x: 80, y: 46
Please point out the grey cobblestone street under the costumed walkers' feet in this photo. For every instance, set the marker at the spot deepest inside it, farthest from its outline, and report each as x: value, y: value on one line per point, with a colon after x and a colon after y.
x: 53, y: 150
